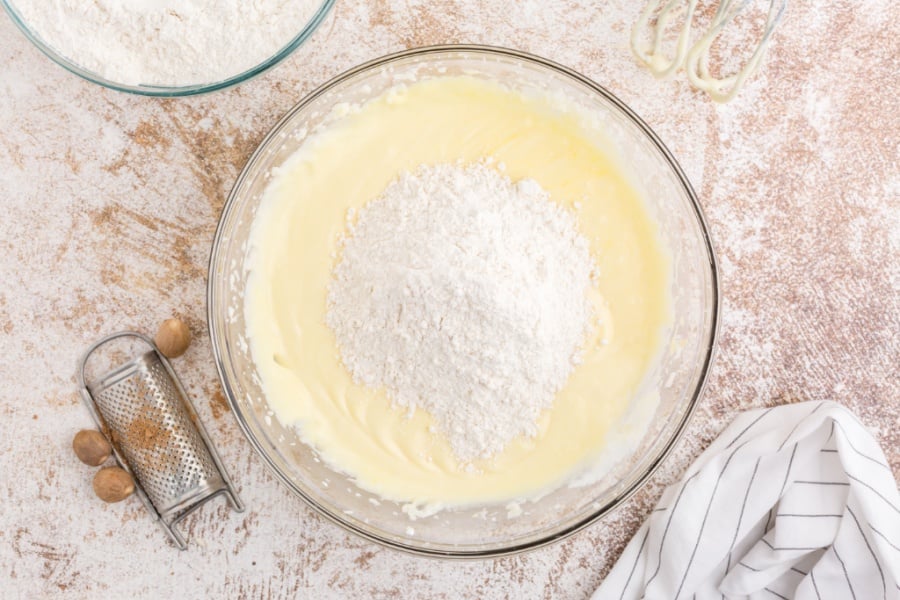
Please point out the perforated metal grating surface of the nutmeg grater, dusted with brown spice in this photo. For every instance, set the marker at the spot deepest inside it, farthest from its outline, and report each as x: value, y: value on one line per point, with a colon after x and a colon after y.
x: 155, y: 433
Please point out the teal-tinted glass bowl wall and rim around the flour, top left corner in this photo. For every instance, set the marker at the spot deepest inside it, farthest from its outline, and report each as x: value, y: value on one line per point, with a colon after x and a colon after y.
x: 170, y: 91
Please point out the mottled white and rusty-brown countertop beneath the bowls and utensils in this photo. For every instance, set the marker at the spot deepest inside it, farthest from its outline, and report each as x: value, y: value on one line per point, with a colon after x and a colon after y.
x: 110, y: 202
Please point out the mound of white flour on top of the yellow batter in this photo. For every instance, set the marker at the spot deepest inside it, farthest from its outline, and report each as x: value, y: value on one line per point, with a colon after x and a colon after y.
x: 465, y: 294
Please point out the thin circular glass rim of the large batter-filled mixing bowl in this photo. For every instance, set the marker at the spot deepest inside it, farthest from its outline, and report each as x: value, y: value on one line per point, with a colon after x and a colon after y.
x: 710, y: 350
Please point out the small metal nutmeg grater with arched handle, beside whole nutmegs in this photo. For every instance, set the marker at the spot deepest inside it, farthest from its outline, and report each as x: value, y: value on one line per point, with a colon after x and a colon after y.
x: 156, y: 436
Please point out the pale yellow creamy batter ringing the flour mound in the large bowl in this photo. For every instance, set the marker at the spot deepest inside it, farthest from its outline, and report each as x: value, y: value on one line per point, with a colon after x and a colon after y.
x: 294, y: 247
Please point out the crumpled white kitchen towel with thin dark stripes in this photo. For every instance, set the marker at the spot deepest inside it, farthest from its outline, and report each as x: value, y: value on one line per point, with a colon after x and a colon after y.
x: 795, y: 501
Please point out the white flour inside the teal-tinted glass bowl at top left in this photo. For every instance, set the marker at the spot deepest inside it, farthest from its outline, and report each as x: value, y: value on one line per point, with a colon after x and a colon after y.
x: 166, y: 42
